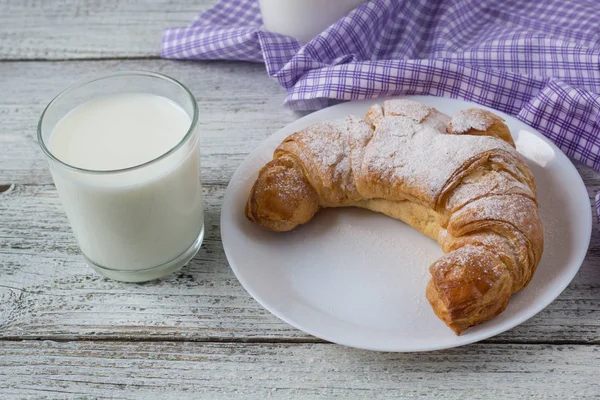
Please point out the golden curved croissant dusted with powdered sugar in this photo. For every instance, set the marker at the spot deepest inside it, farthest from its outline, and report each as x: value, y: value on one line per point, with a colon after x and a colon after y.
x: 458, y: 180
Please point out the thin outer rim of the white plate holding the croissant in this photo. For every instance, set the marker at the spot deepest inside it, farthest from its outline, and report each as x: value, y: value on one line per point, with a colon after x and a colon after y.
x: 307, y: 119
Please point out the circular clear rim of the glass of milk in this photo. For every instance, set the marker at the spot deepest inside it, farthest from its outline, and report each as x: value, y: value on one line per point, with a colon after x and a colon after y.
x: 188, y: 134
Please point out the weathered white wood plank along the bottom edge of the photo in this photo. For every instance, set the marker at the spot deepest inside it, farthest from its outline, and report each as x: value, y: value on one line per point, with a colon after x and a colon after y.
x: 282, y: 371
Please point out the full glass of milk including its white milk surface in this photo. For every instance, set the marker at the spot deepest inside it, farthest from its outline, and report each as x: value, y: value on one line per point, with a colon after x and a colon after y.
x: 124, y: 155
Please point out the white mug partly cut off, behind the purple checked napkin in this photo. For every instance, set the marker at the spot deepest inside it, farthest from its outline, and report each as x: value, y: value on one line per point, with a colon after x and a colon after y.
x: 304, y: 19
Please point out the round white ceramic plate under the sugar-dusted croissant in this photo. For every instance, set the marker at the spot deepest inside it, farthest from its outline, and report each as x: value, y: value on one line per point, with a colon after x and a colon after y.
x: 358, y: 278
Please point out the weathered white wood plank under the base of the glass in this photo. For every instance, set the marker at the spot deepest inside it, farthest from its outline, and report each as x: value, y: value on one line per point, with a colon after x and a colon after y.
x: 47, y: 291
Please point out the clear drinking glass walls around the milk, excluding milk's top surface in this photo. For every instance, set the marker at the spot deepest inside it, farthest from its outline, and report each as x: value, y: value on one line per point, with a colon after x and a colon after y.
x: 138, y: 223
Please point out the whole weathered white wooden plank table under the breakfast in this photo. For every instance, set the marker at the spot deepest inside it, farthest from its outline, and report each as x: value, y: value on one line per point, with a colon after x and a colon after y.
x: 67, y: 332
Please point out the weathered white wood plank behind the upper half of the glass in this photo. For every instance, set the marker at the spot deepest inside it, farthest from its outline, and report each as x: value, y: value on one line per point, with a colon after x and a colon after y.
x: 239, y: 104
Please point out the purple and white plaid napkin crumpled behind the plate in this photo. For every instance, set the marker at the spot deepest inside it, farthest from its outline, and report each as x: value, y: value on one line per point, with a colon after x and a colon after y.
x: 539, y: 61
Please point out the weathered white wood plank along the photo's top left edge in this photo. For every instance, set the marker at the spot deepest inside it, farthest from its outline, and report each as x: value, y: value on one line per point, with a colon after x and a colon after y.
x: 76, y: 29
